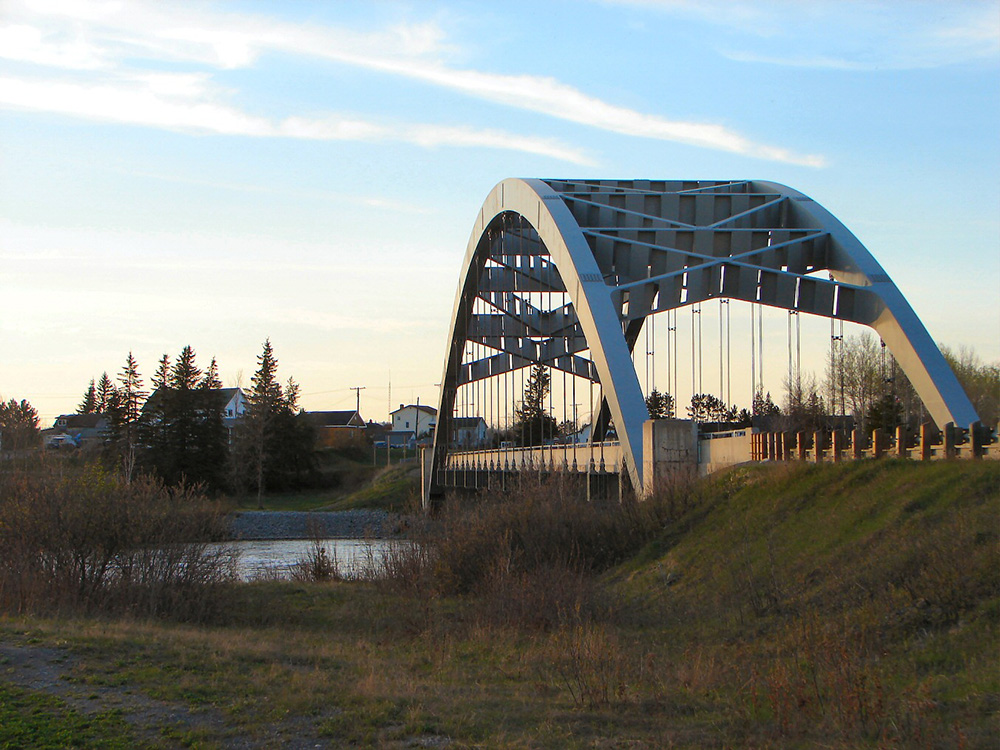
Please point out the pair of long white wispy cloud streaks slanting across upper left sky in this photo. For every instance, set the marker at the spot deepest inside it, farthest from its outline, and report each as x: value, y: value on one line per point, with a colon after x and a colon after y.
x: 110, y: 37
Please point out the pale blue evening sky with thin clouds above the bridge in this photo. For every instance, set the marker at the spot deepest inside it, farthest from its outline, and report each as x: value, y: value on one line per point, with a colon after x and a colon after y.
x: 218, y: 174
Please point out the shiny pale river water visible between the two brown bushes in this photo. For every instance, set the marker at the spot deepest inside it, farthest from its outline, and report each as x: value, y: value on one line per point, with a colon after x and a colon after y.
x: 275, y: 558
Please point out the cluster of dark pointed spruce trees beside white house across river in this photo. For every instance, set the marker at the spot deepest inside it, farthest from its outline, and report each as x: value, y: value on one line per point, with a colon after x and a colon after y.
x: 179, y: 430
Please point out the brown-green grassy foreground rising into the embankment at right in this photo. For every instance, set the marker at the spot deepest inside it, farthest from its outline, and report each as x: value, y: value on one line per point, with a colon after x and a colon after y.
x: 844, y: 606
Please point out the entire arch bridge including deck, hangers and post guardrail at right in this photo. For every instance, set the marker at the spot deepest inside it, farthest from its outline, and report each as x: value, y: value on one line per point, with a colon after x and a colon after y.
x: 563, y: 279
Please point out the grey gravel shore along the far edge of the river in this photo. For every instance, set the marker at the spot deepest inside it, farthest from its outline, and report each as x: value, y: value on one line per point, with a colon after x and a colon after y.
x: 344, y: 524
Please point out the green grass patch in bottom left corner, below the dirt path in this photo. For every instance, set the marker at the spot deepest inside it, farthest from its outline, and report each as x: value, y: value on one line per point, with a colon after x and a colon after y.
x: 33, y: 719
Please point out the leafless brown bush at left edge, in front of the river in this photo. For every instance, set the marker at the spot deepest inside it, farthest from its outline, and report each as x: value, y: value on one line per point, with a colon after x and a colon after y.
x: 90, y: 542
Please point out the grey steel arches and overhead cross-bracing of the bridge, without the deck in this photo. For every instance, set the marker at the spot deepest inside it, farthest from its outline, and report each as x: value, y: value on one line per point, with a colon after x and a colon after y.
x: 622, y: 250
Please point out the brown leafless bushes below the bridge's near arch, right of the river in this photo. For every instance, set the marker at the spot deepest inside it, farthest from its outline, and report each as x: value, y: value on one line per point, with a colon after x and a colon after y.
x: 531, y: 555
